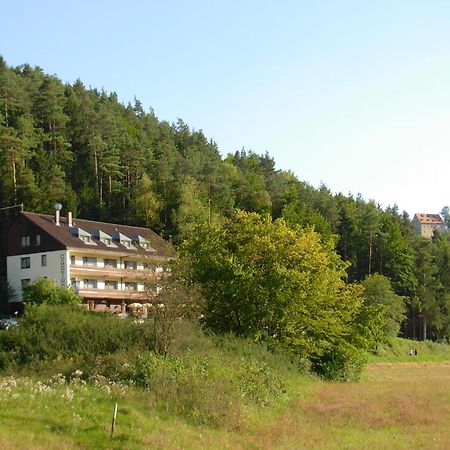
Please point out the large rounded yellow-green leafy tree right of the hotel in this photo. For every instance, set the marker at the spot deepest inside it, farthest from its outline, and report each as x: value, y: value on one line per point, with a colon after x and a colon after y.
x: 263, y: 279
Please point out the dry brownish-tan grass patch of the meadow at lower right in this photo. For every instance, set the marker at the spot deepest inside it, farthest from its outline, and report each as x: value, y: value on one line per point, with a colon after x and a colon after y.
x: 396, y: 406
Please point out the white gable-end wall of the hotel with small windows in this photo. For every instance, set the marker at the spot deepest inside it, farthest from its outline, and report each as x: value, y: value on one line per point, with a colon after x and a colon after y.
x: 57, y: 269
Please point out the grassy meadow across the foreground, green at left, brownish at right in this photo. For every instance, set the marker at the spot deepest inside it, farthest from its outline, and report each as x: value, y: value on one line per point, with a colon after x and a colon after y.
x: 401, y: 405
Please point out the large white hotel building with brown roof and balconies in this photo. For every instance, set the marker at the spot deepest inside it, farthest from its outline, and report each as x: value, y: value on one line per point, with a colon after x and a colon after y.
x: 109, y: 265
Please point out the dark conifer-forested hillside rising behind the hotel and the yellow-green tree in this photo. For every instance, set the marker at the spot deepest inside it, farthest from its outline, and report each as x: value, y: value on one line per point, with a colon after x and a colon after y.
x: 106, y: 161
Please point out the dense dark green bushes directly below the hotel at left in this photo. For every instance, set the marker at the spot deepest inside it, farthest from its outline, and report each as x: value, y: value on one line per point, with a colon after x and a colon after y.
x: 66, y: 338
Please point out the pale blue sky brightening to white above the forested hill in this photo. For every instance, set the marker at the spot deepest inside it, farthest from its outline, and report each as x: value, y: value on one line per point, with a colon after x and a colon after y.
x: 351, y: 94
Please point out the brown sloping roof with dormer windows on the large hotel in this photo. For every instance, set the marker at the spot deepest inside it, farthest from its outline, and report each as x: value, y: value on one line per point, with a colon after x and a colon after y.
x: 67, y: 236
